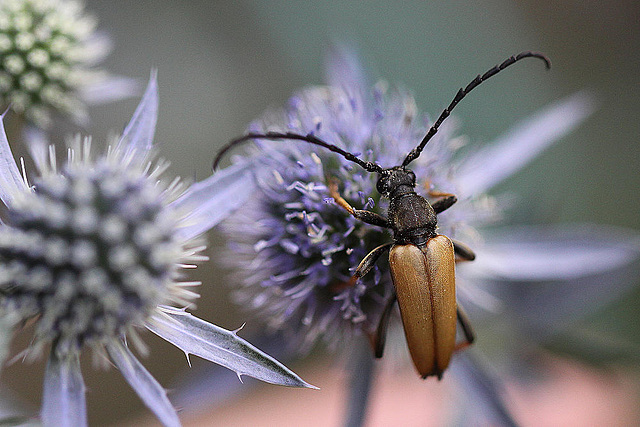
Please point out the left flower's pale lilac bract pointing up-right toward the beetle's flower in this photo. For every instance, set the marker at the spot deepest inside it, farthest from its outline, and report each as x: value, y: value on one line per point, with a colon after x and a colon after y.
x: 213, y: 199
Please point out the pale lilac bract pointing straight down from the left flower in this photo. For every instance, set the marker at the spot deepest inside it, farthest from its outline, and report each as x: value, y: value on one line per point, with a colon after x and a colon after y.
x: 63, y: 401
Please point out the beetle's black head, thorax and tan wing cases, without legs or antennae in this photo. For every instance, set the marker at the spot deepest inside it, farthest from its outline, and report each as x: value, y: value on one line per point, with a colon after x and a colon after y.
x: 422, y: 267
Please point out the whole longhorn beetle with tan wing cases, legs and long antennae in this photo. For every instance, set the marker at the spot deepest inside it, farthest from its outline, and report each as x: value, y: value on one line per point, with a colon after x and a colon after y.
x: 422, y: 262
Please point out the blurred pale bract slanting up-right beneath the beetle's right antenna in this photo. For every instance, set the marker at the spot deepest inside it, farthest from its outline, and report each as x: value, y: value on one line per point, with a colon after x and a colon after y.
x: 509, y: 153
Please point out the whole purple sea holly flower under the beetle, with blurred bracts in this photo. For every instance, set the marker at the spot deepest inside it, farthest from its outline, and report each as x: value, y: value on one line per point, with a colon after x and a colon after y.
x: 292, y: 251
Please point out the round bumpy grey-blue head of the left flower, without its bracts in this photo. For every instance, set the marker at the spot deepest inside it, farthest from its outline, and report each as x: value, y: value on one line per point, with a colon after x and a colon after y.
x: 93, y: 249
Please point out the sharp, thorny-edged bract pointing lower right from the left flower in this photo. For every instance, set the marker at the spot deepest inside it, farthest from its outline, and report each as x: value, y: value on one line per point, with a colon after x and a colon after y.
x: 218, y: 345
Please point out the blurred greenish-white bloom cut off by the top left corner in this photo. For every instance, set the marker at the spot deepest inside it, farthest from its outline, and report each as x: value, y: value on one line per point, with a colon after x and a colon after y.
x: 48, y: 53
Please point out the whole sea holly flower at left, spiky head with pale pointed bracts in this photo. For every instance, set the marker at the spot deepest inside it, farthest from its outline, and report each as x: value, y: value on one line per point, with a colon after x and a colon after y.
x: 96, y: 247
